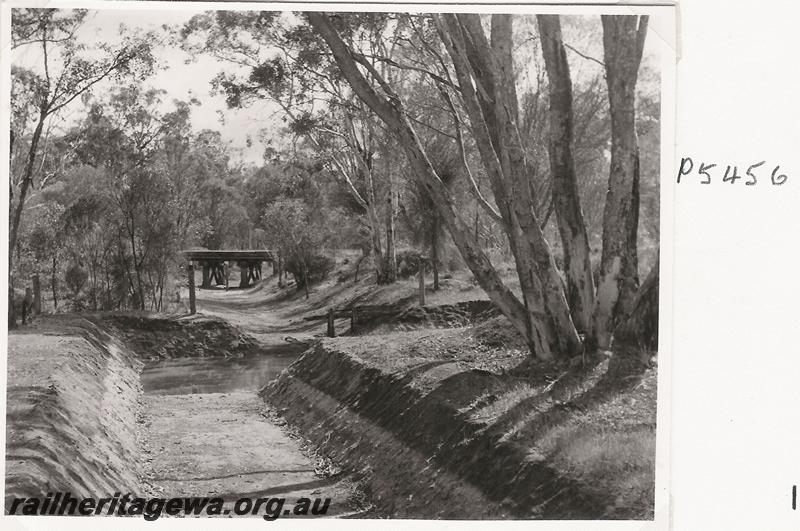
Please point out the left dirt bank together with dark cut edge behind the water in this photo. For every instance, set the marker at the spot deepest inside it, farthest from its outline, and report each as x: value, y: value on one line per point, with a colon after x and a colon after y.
x: 75, y: 409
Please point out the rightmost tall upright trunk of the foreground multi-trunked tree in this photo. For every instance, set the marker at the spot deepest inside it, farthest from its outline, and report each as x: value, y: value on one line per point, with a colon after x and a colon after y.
x: 623, y: 42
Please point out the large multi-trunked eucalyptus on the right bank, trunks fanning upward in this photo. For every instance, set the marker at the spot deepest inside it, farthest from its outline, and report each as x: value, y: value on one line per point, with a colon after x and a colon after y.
x: 483, y: 77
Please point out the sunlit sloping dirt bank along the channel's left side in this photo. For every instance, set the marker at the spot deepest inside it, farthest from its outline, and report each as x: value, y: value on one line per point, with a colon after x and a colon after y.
x: 72, y: 409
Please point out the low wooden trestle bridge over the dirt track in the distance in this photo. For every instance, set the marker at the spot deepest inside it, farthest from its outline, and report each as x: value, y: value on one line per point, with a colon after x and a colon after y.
x: 216, y: 265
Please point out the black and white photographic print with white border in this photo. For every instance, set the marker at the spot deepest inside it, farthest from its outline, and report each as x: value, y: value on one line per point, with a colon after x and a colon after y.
x: 275, y: 263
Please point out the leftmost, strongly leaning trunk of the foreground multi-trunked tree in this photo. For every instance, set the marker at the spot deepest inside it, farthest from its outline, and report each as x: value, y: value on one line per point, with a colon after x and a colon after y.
x: 540, y: 330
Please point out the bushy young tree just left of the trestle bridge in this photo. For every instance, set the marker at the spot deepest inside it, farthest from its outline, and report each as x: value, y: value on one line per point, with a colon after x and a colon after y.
x: 124, y: 135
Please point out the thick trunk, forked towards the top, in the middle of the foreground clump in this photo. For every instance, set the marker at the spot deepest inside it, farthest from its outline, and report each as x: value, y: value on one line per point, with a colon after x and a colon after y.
x: 492, y: 108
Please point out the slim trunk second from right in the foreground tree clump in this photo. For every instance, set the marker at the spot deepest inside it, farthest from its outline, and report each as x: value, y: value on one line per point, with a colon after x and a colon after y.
x: 566, y: 201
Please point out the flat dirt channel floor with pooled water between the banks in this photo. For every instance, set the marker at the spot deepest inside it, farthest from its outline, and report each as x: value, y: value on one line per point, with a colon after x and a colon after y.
x: 207, y: 433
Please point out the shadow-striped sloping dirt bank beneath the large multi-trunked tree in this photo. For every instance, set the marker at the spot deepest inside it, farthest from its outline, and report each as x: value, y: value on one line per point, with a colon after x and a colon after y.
x: 434, y: 431
